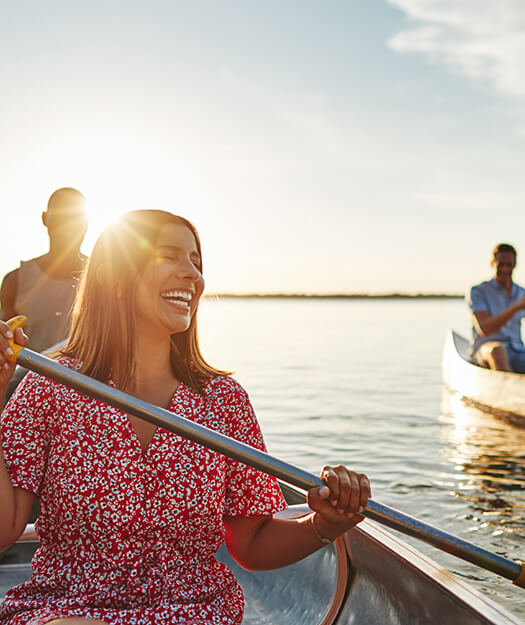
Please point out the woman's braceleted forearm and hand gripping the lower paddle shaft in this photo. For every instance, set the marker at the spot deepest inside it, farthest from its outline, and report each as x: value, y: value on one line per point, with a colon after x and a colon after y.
x: 262, y: 543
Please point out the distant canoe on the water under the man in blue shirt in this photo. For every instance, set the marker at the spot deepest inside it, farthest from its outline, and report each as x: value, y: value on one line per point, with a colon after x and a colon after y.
x: 499, y: 393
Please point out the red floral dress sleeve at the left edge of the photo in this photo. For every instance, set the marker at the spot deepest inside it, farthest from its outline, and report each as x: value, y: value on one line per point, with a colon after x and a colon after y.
x: 25, y: 429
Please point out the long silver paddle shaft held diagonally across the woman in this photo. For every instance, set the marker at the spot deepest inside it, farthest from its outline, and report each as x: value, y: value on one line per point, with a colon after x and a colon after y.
x: 260, y: 460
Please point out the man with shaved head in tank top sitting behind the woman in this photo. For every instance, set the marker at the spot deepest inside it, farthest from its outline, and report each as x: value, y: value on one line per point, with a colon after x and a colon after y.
x: 44, y: 288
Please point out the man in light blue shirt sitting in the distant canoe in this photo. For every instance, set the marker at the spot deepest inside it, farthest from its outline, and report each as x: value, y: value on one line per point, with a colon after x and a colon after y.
x: 498, y: 306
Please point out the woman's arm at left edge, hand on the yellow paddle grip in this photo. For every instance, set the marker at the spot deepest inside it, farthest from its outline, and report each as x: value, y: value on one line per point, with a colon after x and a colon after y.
x: 15, y: 503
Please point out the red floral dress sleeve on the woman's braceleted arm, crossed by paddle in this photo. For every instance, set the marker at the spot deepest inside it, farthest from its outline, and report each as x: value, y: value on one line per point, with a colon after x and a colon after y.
x: 249, y: 492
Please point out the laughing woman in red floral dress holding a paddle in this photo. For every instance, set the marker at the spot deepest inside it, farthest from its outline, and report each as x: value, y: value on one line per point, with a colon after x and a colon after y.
x: 131, y: 515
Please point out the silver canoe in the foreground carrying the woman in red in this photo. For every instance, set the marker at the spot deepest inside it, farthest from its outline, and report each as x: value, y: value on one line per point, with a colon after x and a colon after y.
x: 368, y: 577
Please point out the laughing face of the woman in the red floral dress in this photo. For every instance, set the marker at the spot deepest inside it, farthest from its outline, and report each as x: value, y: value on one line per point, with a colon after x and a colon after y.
x: 169, y: 289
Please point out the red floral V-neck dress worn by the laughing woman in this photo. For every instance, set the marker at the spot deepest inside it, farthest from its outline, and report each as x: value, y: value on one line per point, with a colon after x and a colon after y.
x: 129, y: 536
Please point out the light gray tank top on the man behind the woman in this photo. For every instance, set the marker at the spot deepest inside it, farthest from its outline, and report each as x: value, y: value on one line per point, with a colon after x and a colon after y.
x: 46, y: 303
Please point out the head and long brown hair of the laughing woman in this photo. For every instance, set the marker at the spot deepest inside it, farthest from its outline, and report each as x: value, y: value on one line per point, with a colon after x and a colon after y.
x: 141, y: 259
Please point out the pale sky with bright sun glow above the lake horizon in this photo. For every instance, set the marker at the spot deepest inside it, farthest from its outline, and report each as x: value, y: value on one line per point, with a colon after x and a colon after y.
x: 319, y: 147
